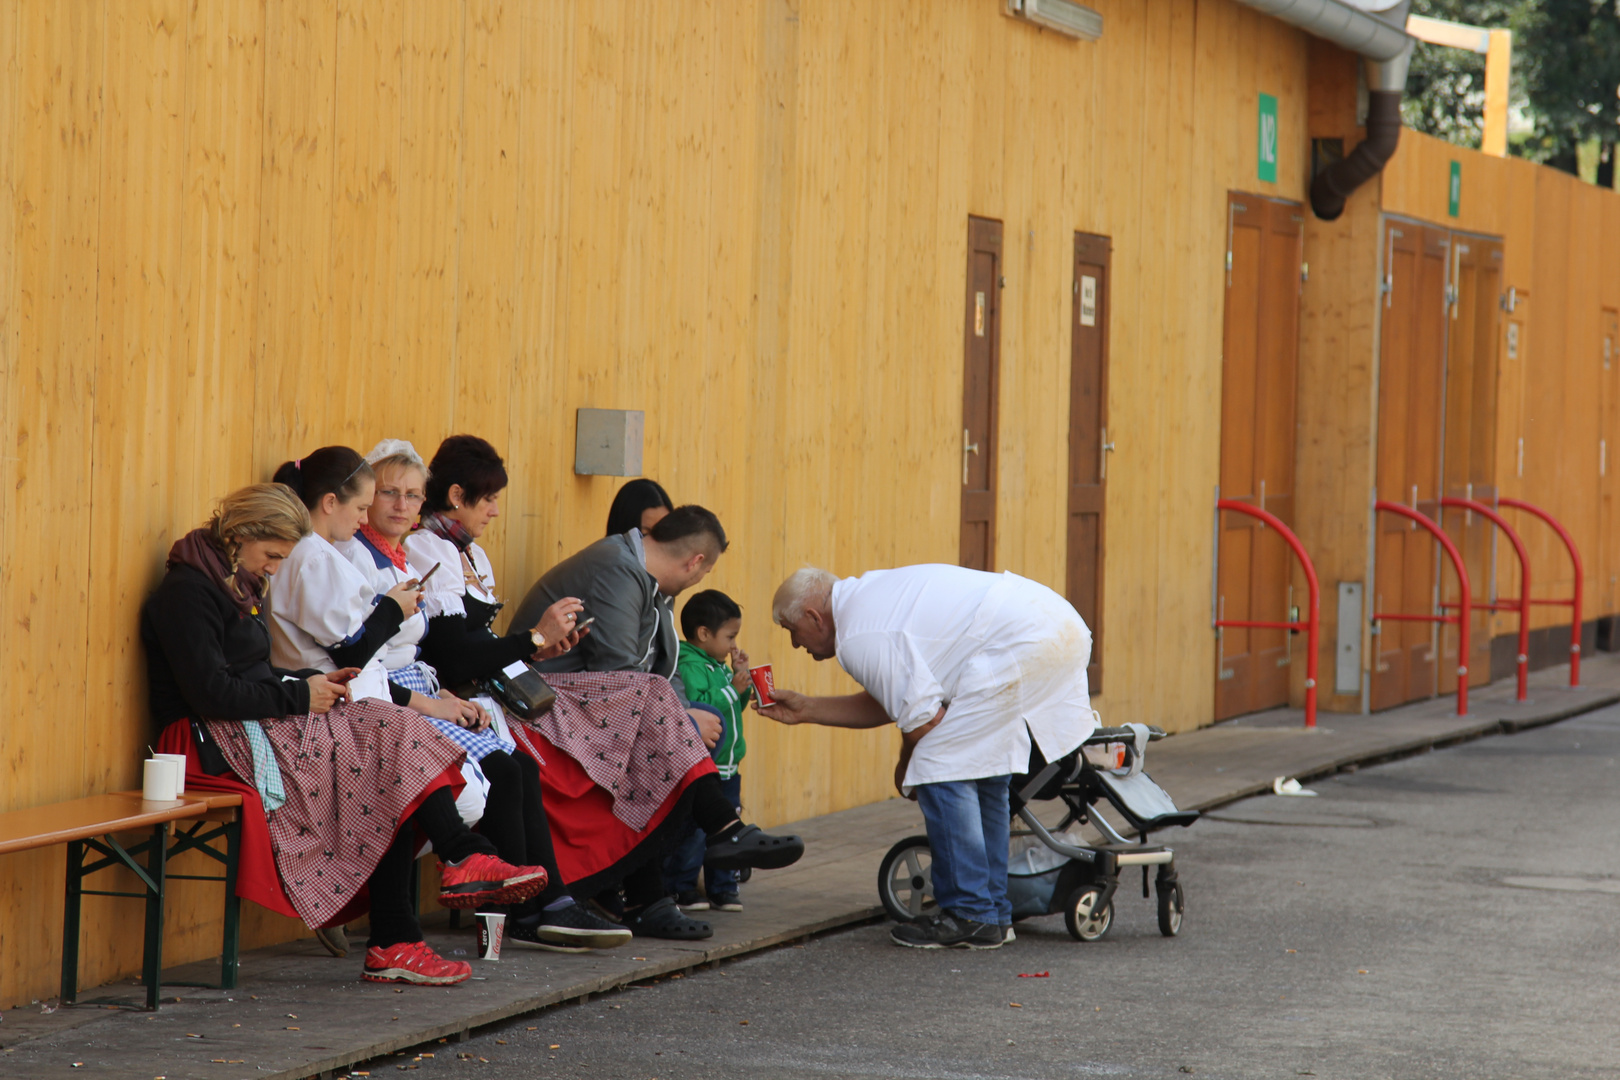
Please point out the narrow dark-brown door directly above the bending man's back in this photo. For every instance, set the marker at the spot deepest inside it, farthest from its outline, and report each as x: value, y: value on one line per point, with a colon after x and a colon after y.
x: 983, y: 365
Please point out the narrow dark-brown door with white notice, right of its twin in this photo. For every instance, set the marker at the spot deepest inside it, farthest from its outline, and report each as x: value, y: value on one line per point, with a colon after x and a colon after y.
x: 1089, y: 440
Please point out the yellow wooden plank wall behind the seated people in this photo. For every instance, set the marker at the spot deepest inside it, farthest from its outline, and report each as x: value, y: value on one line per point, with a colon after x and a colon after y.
x: 232, y: 232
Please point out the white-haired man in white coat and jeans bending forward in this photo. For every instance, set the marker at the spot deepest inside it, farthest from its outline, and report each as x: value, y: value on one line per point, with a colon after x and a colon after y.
x: 971, y: 668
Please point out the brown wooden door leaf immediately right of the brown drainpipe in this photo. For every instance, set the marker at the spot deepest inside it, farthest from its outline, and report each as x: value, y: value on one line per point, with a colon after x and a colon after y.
x: 1412, y: 414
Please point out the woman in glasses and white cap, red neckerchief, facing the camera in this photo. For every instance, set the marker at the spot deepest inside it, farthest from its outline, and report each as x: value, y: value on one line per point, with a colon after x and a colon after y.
x: 514, y: 815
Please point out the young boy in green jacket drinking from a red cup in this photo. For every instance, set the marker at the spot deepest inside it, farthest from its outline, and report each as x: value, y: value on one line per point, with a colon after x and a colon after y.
x: 710, y: 624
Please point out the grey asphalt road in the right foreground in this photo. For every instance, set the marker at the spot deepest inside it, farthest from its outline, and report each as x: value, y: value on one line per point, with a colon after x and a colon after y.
x: 1449, y: 916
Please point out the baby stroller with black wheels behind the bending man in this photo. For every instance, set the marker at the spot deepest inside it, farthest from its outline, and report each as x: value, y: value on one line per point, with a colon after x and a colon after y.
x: 1055, y: 870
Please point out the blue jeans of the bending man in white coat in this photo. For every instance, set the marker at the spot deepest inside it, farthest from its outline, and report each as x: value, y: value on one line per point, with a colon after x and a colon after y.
x: 970, y: 830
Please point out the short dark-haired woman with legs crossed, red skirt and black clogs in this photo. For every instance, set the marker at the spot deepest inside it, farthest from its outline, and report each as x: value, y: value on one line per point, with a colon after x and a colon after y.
x: 621, y: 767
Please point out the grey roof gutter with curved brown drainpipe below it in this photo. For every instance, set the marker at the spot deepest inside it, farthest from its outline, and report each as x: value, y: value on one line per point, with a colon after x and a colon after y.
x: 1386, y: 49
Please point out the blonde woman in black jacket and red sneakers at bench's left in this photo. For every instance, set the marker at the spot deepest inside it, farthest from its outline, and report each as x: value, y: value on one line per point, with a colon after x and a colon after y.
x: 333, y: 789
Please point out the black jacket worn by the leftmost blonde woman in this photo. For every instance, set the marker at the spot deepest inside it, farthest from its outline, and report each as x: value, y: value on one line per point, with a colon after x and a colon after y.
x: 208, y: 661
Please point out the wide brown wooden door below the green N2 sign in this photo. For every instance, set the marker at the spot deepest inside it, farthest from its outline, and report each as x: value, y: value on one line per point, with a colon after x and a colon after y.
x: 1260, y: 370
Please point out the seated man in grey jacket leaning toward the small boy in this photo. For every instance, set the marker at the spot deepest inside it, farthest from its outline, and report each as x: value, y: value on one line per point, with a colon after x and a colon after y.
x: 621, y: 582
